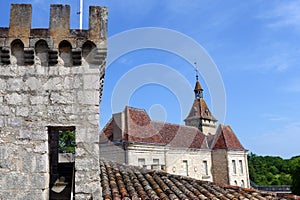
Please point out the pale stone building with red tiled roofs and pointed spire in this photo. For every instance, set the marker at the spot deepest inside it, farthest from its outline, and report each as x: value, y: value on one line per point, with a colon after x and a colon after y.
x: 198, y: 149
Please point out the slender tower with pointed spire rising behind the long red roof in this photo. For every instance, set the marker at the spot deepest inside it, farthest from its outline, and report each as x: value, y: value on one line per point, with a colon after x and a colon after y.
x: 200, y: 115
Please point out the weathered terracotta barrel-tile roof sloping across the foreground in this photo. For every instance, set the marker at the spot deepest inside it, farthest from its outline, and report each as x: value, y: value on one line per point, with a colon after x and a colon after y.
x: 120, y: 181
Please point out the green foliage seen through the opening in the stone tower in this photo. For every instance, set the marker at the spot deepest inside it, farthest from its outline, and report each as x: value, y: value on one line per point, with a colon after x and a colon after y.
x: 66, y: 143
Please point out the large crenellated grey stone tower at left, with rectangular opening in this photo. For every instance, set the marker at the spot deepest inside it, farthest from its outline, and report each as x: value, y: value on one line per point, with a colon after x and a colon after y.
x: 50, y: 81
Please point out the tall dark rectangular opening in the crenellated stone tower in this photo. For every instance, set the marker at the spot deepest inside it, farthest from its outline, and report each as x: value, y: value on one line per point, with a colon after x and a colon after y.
x: 62, y: 164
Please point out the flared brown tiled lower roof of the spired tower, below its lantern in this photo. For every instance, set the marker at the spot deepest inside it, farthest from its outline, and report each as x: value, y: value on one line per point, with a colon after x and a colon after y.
x: 200, y: 105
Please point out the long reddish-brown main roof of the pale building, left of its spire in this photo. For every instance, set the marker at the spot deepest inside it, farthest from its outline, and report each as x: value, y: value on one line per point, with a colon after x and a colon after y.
x: 140, y: 128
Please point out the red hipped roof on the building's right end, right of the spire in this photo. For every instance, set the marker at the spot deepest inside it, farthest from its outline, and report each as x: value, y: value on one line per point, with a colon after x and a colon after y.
x: 226, y: 139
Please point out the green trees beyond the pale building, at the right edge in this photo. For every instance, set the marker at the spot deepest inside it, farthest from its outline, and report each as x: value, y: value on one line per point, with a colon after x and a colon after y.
x: 271, y: 170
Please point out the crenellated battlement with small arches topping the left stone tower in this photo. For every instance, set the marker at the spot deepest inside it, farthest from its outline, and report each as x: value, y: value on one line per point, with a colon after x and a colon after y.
x: 71, y: 45
